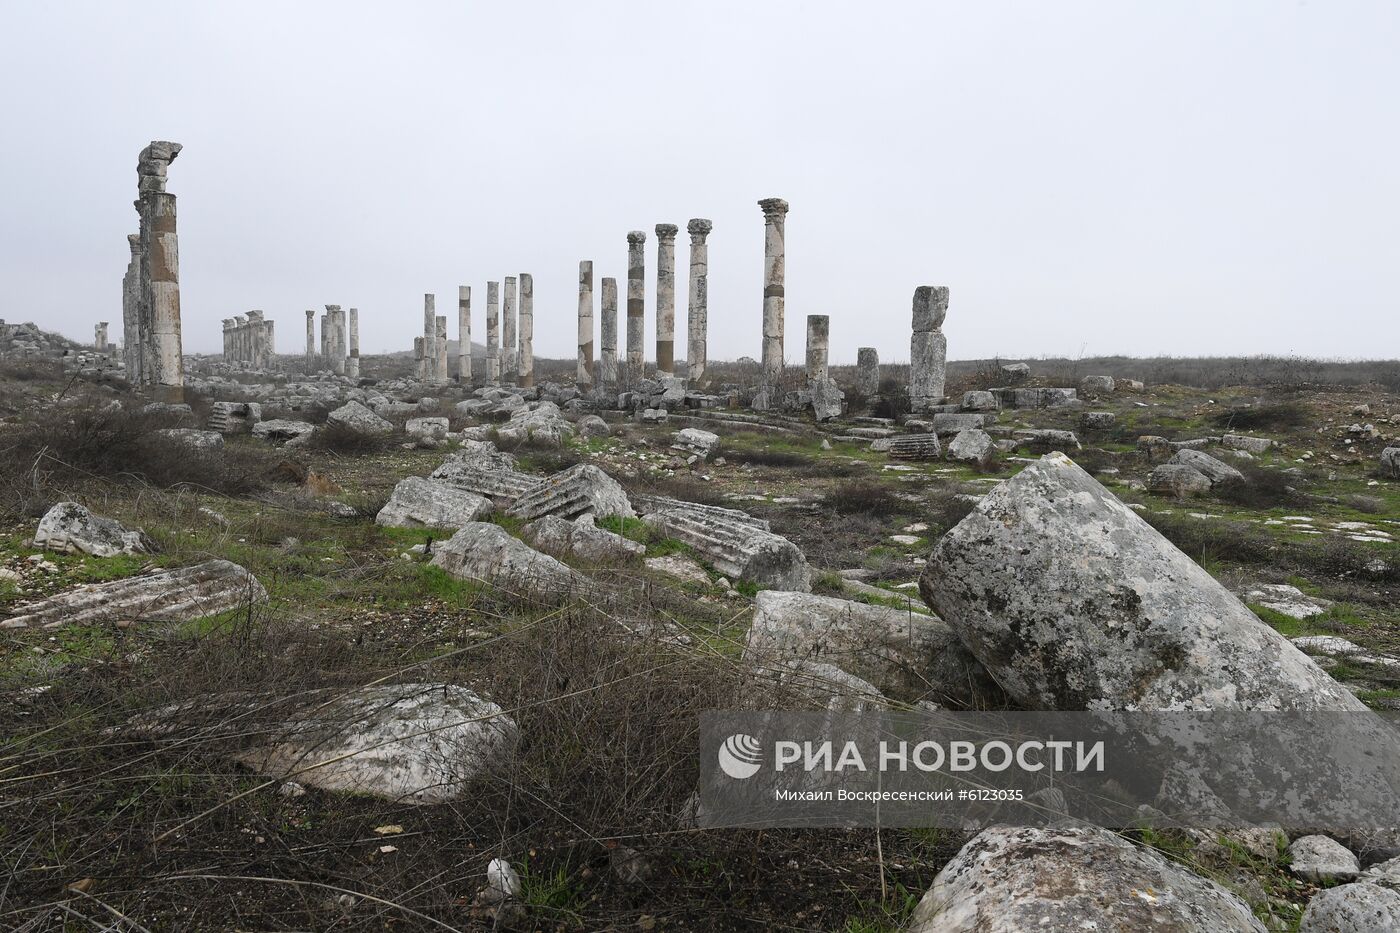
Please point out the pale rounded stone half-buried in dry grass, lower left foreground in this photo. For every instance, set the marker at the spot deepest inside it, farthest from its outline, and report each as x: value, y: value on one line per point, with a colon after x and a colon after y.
x: 411, y: 743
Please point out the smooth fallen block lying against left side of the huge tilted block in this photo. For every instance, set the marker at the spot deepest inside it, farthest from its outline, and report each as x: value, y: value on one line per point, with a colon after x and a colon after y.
x: 901, y: 654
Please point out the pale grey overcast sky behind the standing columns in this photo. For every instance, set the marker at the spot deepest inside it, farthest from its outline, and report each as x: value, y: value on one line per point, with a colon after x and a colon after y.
x: 1087, y: 179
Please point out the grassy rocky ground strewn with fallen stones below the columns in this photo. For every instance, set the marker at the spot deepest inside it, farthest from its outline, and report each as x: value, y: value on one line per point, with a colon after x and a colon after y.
x: 351, y: 569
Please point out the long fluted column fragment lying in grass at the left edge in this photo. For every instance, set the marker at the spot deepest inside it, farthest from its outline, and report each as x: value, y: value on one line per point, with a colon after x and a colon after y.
x: 167, y: 596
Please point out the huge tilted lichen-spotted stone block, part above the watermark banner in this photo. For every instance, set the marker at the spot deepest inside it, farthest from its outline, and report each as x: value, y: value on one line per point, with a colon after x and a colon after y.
x: 1072, y: 602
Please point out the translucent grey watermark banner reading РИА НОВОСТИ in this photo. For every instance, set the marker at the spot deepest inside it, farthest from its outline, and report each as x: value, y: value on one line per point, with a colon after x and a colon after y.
x: 962, y: 770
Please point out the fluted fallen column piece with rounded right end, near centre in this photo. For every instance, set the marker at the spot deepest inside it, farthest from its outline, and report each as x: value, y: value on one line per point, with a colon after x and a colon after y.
x: 738, y: 550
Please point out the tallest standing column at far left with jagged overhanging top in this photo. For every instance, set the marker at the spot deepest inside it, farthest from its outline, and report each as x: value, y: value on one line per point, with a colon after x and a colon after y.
x: 160, y: 272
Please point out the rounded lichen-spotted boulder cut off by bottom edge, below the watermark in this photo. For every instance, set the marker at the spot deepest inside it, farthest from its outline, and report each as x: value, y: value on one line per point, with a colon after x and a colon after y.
x: 1021, y: 880
